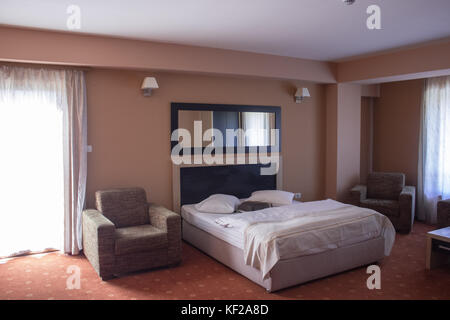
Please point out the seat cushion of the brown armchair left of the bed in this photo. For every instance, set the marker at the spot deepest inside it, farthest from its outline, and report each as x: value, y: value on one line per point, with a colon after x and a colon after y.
x: 139, y: 238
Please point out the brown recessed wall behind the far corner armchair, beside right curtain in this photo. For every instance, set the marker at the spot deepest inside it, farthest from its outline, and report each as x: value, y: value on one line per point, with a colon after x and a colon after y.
x: 397, y: 128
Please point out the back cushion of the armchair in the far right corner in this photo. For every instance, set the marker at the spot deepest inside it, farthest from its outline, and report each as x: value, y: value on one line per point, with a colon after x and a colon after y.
x: 388, y: 186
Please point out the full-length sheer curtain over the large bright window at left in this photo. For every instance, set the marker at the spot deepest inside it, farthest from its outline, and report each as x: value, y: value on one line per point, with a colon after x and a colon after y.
x: 40, y: 155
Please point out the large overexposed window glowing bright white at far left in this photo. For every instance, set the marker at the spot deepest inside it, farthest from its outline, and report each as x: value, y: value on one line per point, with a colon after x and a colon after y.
x: 31, y: 171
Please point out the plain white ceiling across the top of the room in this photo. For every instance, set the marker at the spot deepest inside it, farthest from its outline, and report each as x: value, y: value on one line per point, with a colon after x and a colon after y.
x: 311, y: 29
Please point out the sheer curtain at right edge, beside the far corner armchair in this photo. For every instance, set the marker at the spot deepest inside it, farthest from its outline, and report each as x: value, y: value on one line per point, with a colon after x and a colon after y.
x: 434, y: 154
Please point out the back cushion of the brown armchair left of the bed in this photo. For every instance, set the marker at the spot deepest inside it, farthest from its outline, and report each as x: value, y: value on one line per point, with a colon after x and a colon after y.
x: 124, y: 207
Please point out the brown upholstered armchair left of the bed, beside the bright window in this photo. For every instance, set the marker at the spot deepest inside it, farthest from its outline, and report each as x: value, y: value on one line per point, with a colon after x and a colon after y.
x: 127, y: 234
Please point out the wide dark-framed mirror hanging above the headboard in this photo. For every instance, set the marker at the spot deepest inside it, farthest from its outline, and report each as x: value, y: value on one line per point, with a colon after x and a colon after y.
x: 243, y: 128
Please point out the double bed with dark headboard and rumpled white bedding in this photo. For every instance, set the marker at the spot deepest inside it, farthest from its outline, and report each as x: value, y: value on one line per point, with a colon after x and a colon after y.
x: 311, y: 240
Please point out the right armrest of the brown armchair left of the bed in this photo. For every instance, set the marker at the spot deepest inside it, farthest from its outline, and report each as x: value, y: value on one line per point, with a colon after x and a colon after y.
x: 170, y: 222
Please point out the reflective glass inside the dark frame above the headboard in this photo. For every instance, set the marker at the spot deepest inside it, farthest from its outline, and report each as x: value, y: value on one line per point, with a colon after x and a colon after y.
x: 255, y: 127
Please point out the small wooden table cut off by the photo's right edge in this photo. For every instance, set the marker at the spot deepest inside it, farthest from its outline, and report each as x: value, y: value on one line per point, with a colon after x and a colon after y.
x: 438, y: 247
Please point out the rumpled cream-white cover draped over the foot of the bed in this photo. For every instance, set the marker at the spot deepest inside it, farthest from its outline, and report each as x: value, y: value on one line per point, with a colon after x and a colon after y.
x: 305, y: 228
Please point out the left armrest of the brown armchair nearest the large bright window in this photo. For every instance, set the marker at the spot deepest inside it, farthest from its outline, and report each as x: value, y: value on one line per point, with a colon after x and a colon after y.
x: 98, y: 242
